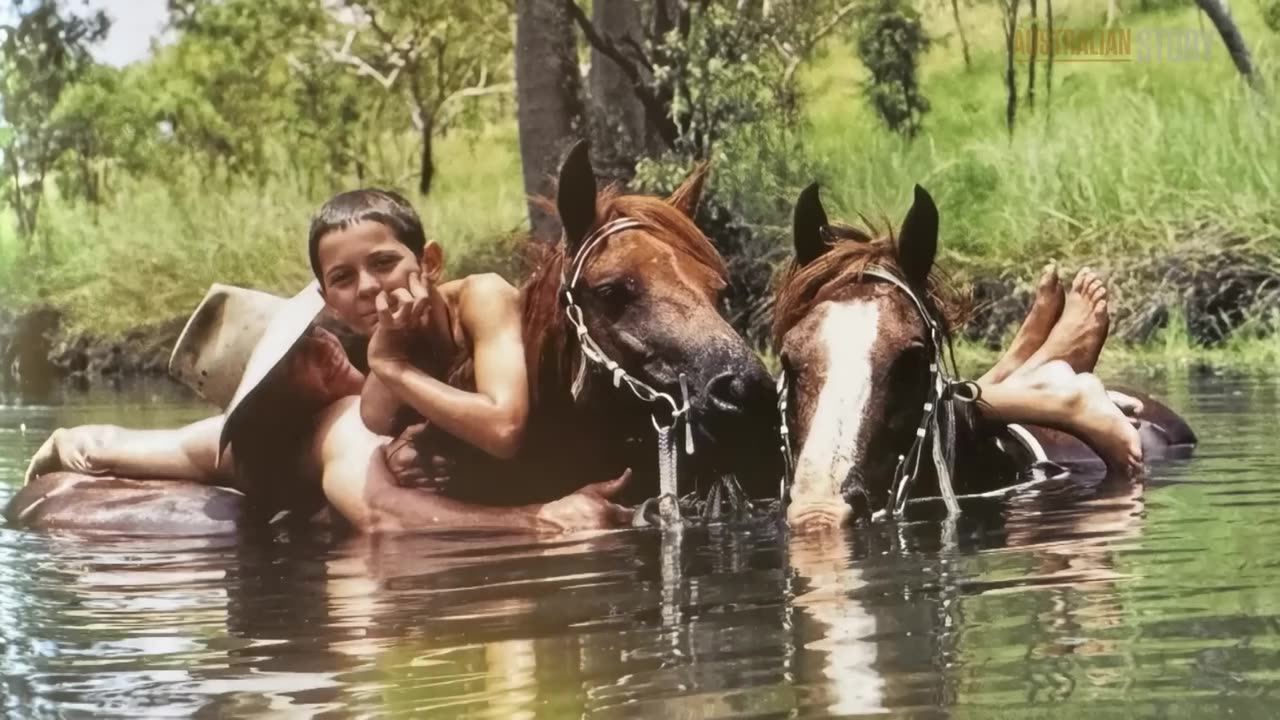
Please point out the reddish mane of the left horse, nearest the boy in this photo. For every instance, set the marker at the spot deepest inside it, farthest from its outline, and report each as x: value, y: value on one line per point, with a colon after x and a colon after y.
x: 543, y: 331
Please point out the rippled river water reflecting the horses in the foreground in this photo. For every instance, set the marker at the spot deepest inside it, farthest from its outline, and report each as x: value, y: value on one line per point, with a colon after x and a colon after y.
x: 1099, y: 601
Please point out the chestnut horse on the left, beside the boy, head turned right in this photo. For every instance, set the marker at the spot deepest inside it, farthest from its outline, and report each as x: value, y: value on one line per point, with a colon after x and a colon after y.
x: 644, y: 285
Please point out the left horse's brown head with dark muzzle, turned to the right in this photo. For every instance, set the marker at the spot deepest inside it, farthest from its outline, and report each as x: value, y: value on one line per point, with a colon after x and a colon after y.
x: 648, y: 284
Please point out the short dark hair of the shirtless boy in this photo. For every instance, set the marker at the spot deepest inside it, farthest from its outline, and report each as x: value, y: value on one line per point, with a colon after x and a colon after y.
x: 349, y: 208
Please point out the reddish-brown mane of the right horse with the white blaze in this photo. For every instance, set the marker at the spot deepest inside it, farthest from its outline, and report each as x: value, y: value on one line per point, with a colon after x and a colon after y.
x: 801, y: 289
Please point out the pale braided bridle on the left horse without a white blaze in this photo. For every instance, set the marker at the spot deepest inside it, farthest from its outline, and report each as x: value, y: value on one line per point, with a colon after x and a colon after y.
x: 669, y: 499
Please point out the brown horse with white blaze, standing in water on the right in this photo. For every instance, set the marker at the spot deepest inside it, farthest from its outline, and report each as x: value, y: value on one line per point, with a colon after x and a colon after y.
x: 863, y: 327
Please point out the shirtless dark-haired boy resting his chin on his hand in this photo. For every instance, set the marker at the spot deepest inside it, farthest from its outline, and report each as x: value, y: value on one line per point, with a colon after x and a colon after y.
x: 381, y: 276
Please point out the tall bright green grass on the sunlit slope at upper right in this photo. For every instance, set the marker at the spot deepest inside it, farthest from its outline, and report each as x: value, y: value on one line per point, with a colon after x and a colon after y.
x: 1132, y: 154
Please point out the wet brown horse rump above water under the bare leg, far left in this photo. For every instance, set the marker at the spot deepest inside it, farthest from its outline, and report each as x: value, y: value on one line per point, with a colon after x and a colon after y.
x: 72, y: 502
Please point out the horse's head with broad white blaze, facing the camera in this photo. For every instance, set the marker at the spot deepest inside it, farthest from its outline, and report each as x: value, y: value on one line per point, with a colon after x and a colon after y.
x: 857, y: 354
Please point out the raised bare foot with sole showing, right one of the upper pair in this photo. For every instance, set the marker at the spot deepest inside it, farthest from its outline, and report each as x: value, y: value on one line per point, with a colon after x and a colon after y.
x: 1081, y: 332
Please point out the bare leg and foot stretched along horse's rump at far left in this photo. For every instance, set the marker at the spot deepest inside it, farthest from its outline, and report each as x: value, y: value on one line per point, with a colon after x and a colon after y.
x: 185, y: 454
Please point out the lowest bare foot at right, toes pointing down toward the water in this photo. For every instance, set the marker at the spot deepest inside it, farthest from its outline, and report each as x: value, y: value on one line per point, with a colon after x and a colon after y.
x: 1100, y: 423
